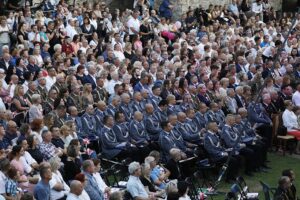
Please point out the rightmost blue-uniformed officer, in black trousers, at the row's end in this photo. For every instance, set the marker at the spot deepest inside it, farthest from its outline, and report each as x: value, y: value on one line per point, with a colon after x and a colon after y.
x: 261, y: 121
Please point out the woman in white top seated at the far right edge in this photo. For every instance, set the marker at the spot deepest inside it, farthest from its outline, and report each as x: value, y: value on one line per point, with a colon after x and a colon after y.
x: 289, y: 119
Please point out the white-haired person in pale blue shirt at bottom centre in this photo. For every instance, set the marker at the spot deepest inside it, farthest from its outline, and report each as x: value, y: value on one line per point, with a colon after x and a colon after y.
x: 134, y: 184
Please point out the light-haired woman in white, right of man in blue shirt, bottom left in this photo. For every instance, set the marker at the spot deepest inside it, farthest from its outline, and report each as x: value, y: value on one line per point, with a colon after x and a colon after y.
x: 59, y: 188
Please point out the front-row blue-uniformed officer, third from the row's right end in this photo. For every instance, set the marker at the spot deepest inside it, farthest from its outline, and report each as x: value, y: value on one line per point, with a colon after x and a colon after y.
x: 232, y: 140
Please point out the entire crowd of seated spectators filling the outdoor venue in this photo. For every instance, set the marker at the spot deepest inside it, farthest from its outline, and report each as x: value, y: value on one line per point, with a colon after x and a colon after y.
x: 81, y: 84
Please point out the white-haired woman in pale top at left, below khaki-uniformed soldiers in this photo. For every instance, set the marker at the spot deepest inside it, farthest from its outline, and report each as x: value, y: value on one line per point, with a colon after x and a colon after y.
x: 36, y: 110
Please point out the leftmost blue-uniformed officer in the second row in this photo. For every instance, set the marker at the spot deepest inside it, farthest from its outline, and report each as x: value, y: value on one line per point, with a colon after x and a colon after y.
x: 89, y: 125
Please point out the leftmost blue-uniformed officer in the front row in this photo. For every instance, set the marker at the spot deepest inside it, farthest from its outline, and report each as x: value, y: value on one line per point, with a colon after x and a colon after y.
x: 111, y: 148
